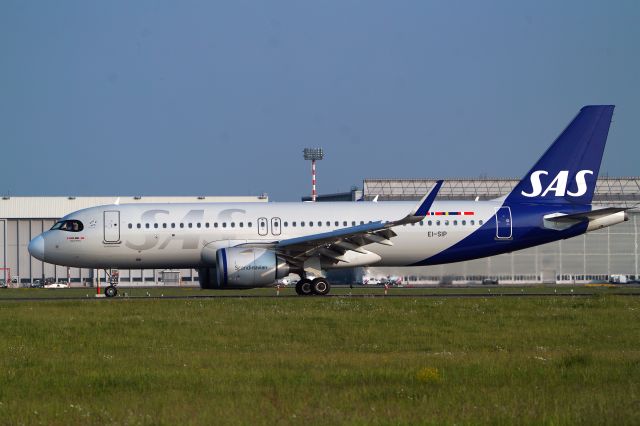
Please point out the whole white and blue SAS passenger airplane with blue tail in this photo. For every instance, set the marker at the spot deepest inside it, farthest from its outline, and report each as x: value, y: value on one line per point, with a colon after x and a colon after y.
x: 246, y: 245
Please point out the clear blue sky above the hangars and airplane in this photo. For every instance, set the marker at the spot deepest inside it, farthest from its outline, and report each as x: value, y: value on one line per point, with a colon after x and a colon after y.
x: 220, y: 98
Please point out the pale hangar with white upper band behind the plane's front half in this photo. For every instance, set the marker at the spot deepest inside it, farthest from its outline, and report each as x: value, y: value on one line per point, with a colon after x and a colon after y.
x: 22, y: 218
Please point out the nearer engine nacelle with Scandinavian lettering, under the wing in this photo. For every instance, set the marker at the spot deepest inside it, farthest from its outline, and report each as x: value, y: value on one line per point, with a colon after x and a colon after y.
x: 239, y: 267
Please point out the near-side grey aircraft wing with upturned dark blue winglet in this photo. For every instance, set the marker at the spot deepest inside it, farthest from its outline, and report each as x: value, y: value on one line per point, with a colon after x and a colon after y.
x: 335, y: 244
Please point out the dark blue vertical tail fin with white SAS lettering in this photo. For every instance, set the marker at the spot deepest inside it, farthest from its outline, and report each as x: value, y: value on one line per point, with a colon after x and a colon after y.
x: 568, y: 171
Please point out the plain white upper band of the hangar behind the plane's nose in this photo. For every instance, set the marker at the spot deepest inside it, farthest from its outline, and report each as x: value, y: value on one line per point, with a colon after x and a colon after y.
x: 56, y: 207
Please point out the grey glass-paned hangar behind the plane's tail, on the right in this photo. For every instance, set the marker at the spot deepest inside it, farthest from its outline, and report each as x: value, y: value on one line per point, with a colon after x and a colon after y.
x: 595, y: 256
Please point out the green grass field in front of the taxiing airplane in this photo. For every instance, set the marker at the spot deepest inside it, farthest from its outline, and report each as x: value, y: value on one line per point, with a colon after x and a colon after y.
x: 549, y: 360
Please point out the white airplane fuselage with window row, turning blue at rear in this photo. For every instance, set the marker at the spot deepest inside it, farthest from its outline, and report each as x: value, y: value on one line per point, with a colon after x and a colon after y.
x: 175, y: 235
